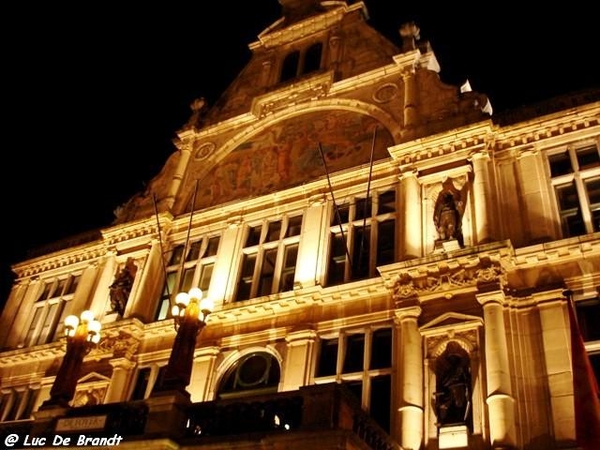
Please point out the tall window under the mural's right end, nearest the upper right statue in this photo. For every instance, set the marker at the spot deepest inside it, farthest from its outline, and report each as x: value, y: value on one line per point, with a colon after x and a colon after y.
x: 362, y: 237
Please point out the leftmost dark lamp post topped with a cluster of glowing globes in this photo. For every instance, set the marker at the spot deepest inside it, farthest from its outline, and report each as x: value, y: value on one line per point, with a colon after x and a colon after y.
x: 83, y: 333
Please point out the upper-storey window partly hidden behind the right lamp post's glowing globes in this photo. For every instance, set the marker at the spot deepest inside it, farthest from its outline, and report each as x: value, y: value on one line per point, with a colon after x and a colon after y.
x: 189, y: 266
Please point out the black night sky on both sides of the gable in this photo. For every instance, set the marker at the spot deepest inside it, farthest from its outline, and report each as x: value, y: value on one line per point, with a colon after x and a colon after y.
x: 93, y: 92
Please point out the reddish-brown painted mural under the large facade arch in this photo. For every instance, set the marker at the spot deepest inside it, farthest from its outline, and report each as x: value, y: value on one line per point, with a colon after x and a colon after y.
x: 290, y: 154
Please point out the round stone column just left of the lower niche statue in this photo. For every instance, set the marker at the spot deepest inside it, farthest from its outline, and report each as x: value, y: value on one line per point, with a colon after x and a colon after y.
x: 409, y: 378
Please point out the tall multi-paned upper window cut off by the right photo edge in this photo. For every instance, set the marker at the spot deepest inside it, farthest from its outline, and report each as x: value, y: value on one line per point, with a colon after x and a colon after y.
x: 575, y: 172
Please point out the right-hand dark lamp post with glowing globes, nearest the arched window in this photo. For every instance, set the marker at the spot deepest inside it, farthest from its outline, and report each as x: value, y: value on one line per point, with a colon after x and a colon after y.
x: 189, y: 313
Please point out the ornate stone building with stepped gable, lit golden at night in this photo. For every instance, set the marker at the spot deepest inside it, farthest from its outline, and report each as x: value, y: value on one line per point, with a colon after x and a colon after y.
x: 390, y: 264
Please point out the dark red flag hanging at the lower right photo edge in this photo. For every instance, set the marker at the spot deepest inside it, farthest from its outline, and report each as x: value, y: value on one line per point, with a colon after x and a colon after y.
x: 585, y: 389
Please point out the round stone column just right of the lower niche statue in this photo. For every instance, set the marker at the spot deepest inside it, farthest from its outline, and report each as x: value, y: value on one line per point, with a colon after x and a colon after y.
x: 500, y: 400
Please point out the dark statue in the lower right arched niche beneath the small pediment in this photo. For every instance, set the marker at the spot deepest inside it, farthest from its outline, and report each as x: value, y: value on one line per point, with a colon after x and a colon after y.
x: 453, y: 386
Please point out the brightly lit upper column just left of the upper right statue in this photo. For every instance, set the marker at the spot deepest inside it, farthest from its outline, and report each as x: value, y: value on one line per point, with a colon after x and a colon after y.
x: 413, y: 212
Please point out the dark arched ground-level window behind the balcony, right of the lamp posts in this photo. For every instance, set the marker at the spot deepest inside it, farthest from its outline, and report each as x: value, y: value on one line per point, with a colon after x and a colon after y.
x: 254, y: 373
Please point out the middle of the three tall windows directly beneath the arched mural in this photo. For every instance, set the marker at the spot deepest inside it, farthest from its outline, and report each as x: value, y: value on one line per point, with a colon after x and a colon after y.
x: 269, y: 258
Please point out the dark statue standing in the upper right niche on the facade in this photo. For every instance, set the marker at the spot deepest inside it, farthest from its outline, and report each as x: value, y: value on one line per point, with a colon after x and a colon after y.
x: 448, y: 212
